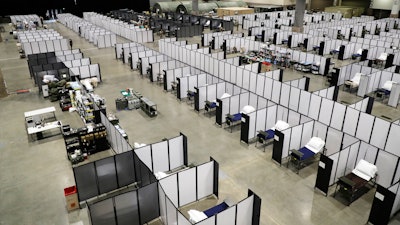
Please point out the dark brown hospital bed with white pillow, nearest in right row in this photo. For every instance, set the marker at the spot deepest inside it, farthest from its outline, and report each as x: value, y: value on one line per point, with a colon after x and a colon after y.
x: 355, y: 184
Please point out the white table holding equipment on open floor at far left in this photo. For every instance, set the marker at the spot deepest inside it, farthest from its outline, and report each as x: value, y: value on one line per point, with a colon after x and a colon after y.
x: 41, y: 122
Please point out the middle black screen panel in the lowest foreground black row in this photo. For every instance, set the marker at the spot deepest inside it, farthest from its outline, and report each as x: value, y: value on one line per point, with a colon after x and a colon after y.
x: 127, y: 209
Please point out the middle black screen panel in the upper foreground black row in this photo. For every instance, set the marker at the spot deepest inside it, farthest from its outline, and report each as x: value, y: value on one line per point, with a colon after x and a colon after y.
x: 106, y: 175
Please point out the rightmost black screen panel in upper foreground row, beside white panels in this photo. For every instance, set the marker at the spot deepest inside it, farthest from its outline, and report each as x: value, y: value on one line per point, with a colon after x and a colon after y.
x: 125, y: 168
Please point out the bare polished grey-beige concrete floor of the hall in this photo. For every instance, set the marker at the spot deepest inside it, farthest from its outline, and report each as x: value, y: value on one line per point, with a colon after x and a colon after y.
x: 33, y: 175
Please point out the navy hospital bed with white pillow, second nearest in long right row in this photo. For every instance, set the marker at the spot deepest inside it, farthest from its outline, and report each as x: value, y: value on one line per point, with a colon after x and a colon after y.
x: 305, y: 155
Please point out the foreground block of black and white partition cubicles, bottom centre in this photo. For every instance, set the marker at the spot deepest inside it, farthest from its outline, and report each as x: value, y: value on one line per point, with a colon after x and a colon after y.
x: 158, y: 184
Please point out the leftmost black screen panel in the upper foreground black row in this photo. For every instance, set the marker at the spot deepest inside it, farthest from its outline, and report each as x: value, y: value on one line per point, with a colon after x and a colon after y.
x: 86, y: 181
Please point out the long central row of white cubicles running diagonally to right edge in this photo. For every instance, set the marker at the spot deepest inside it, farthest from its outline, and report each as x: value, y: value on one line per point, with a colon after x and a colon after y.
x: 314, y: 114
